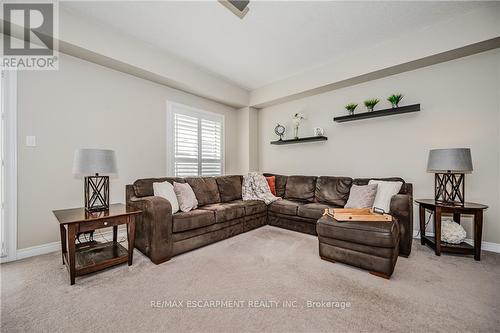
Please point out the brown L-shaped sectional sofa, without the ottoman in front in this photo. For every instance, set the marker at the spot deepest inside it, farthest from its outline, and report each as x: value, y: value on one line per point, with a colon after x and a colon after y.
x: 222, y: 213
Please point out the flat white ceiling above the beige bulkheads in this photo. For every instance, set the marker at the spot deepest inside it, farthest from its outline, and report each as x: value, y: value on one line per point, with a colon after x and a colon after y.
x: 275, y: 40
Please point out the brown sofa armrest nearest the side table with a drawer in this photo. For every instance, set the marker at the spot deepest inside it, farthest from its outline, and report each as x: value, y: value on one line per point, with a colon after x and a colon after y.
x: 153, y: 227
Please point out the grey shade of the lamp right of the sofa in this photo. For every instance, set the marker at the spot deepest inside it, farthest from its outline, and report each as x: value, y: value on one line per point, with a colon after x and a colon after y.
x: 456, y: 160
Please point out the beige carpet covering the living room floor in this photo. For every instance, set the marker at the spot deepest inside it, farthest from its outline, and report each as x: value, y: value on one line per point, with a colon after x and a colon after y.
x: 264, y: 267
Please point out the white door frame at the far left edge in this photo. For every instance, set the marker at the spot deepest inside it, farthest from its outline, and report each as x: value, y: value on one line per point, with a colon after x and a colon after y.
x: 9, y: 111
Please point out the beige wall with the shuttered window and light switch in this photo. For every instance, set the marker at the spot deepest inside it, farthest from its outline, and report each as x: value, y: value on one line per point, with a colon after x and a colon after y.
x: 83, y: 105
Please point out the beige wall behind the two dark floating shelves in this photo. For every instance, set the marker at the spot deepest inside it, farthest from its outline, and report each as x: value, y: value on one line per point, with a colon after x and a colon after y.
x: 460, y: 108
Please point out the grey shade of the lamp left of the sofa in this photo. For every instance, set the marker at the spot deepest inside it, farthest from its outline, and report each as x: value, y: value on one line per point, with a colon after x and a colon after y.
x: 94, y: 161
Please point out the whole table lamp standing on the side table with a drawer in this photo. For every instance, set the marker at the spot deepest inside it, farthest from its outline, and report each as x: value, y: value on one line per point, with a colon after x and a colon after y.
x: 95, y: 165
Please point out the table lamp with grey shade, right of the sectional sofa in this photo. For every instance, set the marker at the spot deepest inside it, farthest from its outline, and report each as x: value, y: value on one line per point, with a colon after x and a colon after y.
x: 450, y: 167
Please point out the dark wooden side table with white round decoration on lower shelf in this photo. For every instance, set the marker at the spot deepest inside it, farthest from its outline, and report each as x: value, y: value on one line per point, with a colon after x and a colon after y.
x: 438, y: 209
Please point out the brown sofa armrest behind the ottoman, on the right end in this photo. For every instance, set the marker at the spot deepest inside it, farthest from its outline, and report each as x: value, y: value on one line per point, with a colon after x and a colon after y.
x: 402, y: 211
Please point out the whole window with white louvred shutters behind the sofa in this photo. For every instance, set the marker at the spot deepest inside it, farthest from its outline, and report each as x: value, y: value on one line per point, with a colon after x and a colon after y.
x: 194, y: 141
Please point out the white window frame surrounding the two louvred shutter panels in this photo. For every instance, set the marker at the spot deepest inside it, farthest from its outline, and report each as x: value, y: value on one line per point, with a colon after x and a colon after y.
x: 170, y: 132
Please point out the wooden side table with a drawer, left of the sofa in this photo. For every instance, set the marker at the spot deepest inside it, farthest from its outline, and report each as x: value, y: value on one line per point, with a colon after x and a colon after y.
x: 88, y: 257
